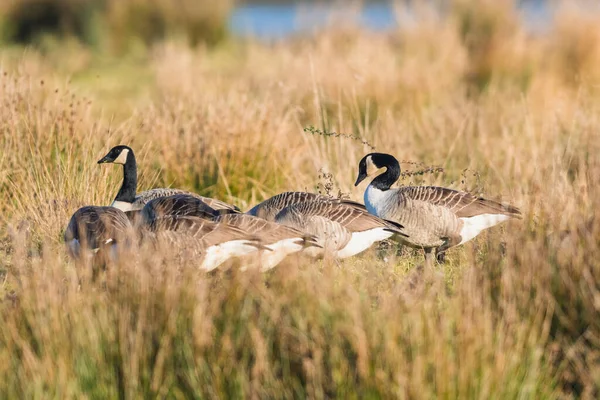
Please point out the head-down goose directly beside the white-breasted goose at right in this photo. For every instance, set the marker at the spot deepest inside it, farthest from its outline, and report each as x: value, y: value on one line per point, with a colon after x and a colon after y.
x: 343, y: 229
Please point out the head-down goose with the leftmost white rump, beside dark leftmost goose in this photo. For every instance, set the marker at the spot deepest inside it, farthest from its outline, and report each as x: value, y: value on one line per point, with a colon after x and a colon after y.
x: 212, y: 243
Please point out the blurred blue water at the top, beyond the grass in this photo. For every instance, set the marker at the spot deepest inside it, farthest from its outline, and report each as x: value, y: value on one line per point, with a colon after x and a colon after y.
x: 276, y: 21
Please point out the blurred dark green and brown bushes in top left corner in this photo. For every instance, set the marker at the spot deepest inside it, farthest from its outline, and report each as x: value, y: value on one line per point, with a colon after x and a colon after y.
x: 114, y: 24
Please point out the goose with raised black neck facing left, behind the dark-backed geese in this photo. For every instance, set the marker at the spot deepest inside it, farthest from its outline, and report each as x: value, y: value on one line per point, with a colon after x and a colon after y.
x: 127, y: 200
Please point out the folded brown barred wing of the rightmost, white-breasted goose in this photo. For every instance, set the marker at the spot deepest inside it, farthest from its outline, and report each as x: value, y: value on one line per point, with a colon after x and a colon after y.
x: 463, y: 204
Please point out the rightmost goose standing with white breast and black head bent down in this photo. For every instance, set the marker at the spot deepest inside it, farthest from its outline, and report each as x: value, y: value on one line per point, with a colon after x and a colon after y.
x: 433, y: 217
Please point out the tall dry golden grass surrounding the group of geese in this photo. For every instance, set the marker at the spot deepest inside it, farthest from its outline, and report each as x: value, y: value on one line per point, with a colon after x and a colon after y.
x: 514, y: 314
